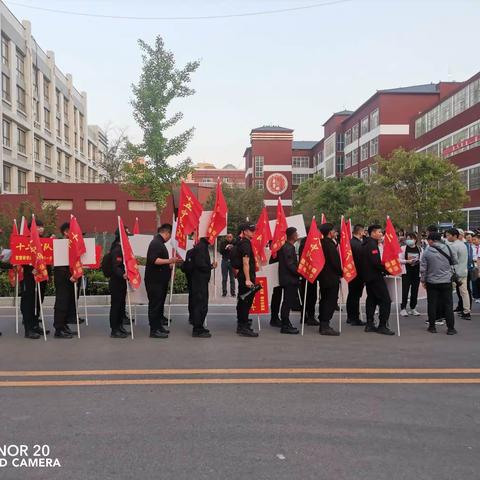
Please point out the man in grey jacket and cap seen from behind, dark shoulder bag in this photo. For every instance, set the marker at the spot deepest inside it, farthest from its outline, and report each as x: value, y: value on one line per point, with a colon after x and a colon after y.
x: 436, y: 277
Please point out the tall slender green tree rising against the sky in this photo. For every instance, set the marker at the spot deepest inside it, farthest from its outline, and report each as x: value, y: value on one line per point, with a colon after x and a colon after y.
x: 161, y: 83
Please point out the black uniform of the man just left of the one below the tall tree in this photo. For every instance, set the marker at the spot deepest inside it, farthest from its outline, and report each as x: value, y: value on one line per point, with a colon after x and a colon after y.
x: 118, y: 288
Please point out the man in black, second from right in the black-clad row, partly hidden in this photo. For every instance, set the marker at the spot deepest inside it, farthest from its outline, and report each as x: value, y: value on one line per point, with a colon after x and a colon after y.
x: 355, y: 286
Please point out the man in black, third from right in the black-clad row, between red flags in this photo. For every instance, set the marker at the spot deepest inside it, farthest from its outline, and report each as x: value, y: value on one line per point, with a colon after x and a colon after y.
x: 329, y: 280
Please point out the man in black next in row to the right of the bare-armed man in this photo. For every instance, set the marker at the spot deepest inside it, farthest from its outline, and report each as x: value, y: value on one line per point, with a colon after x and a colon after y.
x: 288, y: 279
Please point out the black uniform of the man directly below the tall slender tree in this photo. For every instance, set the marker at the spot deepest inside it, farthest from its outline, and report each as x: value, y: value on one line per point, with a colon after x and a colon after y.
x: 156, y: 281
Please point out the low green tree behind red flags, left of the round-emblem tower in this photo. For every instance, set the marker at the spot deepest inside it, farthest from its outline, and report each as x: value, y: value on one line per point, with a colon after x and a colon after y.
x: 242, y: 203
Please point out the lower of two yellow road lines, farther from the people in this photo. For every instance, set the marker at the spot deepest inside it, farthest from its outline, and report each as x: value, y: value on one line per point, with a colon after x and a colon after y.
x: 237, y: 381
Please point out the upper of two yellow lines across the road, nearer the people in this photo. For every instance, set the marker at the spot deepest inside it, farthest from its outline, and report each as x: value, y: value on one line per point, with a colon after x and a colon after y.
x: 239, y: 371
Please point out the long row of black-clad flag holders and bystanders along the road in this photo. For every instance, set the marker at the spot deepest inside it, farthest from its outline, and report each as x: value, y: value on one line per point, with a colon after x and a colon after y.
x: 439, y: 262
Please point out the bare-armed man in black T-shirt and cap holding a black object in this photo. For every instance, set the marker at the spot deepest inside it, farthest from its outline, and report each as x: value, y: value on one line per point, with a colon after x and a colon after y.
x: 246, y: 280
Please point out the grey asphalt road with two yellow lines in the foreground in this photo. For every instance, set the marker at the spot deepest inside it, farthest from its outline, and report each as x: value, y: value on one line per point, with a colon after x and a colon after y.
x: 121, y: 409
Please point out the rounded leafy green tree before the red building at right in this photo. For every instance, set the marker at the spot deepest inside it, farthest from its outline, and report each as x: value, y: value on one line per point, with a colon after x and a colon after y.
x: 417, y: 189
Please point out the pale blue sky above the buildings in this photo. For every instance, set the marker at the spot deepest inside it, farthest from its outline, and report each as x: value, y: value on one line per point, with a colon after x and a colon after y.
x: 292, y: 69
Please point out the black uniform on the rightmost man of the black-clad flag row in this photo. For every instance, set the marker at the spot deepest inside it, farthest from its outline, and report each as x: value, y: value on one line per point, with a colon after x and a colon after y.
x: 377, y: 292
